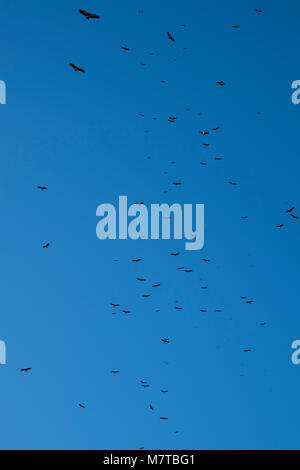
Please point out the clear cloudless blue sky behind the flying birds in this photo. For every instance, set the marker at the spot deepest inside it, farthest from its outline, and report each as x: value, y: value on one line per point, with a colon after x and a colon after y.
x: 80, y: 135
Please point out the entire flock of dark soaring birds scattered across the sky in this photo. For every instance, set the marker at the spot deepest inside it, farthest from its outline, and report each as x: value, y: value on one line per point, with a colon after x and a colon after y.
x: 172, y: 120
